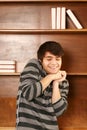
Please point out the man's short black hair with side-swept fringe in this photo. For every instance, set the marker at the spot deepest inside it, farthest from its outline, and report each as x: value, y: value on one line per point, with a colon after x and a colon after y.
x: 50, y: 46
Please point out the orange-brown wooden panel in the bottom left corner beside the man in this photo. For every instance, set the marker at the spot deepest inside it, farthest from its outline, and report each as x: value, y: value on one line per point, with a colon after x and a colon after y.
x: 7, y: 112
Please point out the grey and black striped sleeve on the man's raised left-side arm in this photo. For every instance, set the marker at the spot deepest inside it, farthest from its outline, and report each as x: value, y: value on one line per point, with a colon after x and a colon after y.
x: 30, y: 85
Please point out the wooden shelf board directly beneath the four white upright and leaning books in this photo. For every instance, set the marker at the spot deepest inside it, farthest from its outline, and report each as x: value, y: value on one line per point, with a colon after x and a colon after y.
x: 41, y: 31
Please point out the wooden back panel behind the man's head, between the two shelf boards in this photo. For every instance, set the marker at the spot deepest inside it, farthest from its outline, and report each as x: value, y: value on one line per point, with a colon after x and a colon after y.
x: 24, y: 47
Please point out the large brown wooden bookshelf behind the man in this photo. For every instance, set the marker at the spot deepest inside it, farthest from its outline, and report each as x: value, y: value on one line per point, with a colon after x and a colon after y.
x: 26, y: 24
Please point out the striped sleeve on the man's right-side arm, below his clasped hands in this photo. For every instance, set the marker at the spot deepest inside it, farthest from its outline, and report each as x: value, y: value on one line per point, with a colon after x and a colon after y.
x: 61, y: 105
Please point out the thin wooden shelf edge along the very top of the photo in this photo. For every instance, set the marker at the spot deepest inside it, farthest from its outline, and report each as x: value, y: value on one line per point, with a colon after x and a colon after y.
x: 43, y: 0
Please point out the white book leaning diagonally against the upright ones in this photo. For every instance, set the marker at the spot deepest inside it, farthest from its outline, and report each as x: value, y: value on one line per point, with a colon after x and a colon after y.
x: 74, y: 19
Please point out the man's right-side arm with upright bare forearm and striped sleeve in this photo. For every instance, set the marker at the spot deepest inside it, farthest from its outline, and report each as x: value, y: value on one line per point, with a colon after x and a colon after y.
x: 59, y: 94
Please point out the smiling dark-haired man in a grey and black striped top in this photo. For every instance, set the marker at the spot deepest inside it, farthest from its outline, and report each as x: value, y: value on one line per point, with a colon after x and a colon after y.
x: 43, y: 90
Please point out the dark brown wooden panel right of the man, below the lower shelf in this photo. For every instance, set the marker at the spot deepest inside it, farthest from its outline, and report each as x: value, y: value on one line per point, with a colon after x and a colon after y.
x: 76, y: 114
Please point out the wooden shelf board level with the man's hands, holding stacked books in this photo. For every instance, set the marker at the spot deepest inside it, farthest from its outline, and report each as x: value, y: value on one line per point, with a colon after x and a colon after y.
x: 18, y: 74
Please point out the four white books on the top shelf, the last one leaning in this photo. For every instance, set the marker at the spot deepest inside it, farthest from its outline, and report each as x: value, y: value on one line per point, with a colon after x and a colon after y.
x: 58, y: 18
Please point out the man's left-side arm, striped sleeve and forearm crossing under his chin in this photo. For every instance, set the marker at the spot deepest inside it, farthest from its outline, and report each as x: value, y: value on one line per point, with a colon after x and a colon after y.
x: 32, y: 84
